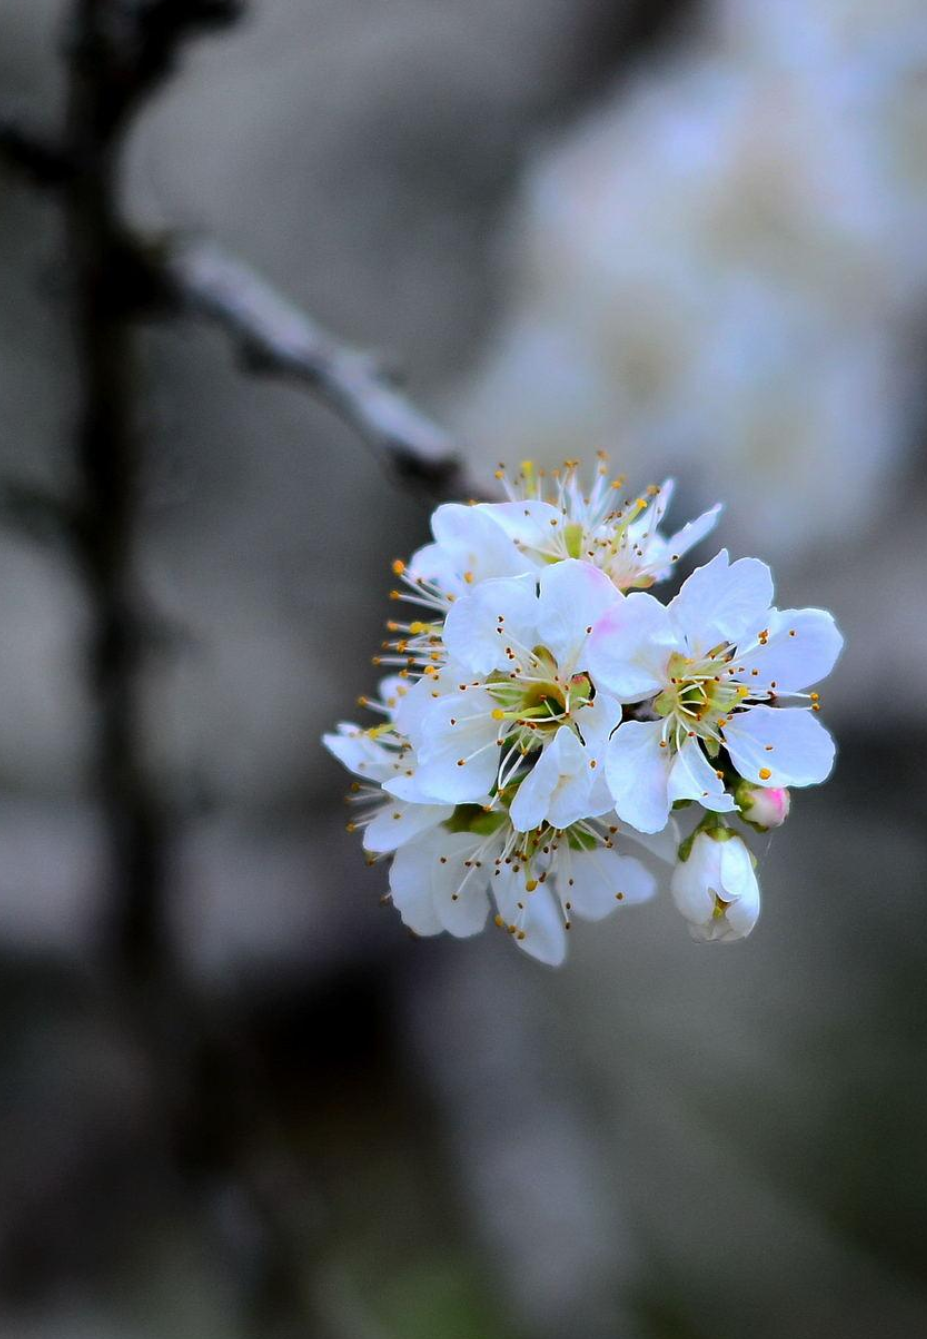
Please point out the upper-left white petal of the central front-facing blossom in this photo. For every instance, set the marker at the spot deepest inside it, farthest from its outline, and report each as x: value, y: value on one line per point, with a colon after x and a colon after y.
x: 488, y: 619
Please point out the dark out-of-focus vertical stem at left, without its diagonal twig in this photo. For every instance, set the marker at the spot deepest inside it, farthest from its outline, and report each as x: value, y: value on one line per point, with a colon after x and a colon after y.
x: 117, y: 54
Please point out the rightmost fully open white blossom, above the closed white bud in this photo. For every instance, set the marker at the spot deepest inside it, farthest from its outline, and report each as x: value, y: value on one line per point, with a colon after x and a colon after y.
x: 716, y: 665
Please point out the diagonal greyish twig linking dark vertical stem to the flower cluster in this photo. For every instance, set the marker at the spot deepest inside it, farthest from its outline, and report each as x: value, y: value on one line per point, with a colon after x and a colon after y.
x: 275, y: 338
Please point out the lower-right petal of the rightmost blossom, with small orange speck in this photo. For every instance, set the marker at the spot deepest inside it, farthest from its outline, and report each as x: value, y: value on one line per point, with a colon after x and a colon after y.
x: 780, y: 746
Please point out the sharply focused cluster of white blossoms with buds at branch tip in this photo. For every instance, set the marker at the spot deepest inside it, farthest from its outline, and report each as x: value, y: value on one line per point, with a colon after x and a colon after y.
x: 549, y: 714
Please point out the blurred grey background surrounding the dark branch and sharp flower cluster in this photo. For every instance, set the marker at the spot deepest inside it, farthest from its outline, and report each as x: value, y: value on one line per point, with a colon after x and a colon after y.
x: 692, y: 234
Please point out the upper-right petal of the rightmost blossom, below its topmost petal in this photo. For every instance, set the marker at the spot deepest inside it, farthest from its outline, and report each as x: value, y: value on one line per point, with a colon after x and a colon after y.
x: 802, y: 649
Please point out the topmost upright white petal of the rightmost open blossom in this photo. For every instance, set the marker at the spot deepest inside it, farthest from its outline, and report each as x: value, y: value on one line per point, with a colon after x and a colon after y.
x: 723, y: 602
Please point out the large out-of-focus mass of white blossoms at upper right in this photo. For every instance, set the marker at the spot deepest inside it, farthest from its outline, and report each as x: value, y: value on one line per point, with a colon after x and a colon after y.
x: 720, y: 271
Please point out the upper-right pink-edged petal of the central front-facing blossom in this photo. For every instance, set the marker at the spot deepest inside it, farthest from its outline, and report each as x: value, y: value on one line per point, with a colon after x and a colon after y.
x: 573, y: 599
